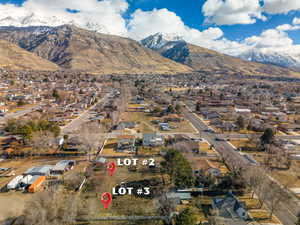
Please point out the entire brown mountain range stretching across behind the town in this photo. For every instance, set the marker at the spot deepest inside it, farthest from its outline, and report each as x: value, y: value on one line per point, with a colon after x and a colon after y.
x: 70, y: 47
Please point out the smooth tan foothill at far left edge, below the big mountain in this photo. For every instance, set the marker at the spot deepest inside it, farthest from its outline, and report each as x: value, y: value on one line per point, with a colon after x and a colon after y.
x: 13, y: 57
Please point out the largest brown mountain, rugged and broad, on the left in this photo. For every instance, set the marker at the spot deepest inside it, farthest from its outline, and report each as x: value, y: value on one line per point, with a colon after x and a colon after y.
x: 74, y: 48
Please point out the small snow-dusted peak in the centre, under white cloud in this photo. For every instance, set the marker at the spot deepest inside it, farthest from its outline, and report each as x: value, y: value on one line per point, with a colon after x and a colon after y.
x: 159, y: 40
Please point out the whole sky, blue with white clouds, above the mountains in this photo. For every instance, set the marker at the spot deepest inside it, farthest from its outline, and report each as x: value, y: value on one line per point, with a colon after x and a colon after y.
x: 223, y: 25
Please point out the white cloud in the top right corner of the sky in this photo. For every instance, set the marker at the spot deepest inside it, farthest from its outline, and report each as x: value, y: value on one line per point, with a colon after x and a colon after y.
x: 280, y: 6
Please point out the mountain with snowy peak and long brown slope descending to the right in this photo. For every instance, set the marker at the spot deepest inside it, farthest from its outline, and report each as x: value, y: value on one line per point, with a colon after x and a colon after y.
x: 202, y: 59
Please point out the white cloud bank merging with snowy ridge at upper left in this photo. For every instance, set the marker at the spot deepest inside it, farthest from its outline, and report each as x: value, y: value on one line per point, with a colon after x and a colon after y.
x: 103, y: 15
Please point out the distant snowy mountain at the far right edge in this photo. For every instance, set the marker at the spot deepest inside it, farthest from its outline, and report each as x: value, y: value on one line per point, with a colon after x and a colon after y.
x: 289, y: 58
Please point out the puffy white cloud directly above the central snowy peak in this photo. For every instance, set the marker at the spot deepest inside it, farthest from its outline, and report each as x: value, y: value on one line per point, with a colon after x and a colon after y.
x: 146, y: 23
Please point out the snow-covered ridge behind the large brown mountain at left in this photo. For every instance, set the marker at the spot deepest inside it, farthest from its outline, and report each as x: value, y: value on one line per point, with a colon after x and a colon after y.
x: 53, y: 21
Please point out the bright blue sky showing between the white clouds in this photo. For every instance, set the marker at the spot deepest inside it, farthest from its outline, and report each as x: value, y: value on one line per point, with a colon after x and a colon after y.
x: 191, y: 13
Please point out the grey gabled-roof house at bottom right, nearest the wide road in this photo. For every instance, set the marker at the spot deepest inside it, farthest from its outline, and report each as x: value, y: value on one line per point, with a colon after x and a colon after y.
x: 230, y: 210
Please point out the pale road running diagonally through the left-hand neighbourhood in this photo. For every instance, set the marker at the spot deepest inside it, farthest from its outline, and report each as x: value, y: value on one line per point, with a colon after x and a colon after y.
x: 84, y: 117
